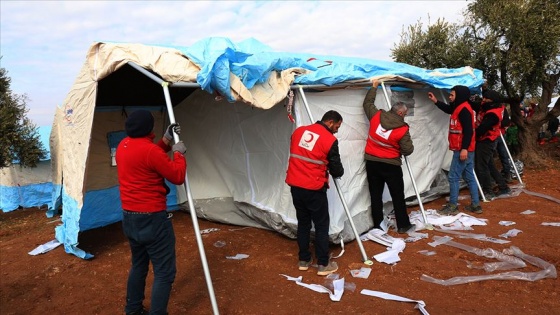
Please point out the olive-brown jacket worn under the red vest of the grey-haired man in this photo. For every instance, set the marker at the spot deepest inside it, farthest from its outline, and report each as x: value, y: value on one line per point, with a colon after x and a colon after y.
x: 389, y: 120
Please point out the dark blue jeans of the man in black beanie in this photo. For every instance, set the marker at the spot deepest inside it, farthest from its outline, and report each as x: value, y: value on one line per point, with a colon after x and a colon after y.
x: 151, y: 238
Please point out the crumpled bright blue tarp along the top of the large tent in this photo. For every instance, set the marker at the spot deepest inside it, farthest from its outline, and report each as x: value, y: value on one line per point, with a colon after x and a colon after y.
x: 253, y: 61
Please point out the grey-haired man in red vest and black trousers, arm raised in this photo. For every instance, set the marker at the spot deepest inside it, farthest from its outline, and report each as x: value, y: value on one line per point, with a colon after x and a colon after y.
x: 388, y: 139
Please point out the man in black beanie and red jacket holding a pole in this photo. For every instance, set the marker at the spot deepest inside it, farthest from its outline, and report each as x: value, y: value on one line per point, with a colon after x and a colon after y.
x: 142, y: 167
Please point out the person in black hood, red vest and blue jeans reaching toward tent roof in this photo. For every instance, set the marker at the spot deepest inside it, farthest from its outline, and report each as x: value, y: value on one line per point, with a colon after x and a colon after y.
x: 462, y: 143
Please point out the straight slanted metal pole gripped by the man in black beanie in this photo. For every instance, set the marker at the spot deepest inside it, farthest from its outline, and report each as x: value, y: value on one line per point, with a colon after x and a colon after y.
x: 192, y: 209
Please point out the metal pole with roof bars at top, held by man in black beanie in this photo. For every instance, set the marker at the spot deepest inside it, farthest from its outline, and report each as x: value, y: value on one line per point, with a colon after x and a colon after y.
x: 186, y: 184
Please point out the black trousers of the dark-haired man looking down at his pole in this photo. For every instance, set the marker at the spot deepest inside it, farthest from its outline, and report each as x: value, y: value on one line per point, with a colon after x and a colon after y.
x: 312, y: 206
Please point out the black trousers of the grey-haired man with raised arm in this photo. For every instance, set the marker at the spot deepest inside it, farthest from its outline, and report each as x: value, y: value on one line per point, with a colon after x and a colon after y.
x: 379, y: 174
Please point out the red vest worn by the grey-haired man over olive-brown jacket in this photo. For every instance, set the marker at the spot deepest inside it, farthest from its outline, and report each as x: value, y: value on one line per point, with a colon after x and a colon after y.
x: 383, y: 143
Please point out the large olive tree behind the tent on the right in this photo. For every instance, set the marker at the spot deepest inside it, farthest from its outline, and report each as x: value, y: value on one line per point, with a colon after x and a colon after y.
x: 516, y: 43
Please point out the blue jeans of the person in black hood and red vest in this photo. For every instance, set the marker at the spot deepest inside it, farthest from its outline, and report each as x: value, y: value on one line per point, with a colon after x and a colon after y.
x: 462, y: 169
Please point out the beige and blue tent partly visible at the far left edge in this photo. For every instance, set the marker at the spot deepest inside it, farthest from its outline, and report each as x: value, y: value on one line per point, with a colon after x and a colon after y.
x: 28, y: 186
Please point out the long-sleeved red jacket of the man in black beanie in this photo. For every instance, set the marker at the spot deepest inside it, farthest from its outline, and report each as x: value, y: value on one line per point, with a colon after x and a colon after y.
x: 142, y: 167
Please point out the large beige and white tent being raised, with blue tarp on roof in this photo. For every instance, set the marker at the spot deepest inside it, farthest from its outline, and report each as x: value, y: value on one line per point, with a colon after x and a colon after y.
x: 231, y: 100
